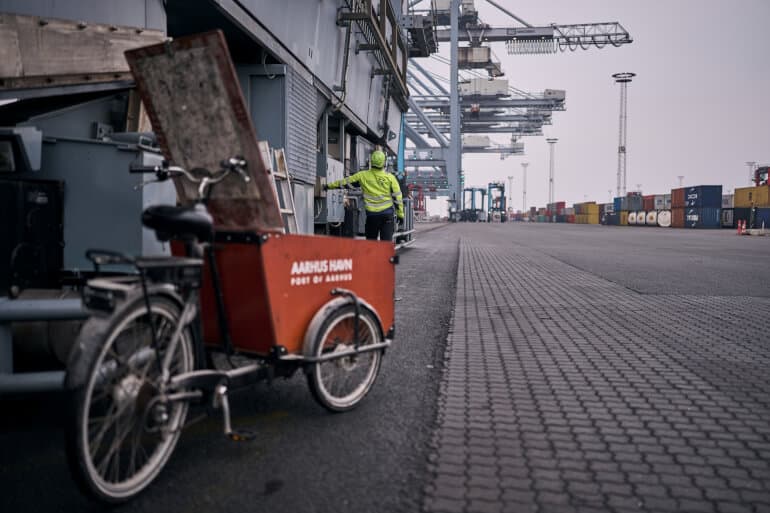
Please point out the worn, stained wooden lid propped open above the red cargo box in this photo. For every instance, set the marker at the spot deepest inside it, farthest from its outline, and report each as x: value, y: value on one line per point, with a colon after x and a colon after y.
x: 191, y: 93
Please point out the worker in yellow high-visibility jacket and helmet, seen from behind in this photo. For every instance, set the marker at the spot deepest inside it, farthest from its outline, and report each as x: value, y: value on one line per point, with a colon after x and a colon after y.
x: 381, y: 195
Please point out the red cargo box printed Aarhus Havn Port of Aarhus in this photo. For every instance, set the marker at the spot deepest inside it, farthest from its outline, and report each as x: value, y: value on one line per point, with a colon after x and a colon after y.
x: 274, y: 284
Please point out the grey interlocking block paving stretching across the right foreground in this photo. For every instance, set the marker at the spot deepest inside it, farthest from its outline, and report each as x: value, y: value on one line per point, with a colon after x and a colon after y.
x: 566, y: 392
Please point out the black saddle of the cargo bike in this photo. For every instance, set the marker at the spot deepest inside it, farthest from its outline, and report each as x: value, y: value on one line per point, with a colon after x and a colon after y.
x: 171, y: 222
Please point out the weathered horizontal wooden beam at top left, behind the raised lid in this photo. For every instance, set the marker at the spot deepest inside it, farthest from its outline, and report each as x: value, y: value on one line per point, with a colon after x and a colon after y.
x: 31, y: 46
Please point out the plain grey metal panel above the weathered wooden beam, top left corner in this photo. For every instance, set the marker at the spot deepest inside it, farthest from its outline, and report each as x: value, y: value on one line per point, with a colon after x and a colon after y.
x: 148, y: 14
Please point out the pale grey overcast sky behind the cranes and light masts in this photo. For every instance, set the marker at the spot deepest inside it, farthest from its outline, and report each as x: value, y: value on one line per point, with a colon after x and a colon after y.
x: 699, y: 105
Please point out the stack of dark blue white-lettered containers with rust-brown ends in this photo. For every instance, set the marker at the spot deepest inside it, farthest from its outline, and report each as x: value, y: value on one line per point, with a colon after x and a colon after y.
x: 696, y: 207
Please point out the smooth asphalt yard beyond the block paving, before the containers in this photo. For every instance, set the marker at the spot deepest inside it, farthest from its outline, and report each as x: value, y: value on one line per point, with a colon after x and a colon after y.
x: 657, y: 260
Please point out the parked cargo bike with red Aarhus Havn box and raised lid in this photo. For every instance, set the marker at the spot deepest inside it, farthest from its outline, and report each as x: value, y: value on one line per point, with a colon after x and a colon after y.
x: 233, y: 306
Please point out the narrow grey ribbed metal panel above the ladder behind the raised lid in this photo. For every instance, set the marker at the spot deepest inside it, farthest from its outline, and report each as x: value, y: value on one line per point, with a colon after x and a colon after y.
x: 301, y: 128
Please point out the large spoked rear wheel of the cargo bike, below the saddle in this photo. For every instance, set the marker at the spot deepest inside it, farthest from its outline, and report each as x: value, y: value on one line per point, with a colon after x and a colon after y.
x: 120, y: 435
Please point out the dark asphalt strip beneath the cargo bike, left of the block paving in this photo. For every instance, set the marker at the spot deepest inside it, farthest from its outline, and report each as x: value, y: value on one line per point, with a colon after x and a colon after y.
x: 304, y: 459
